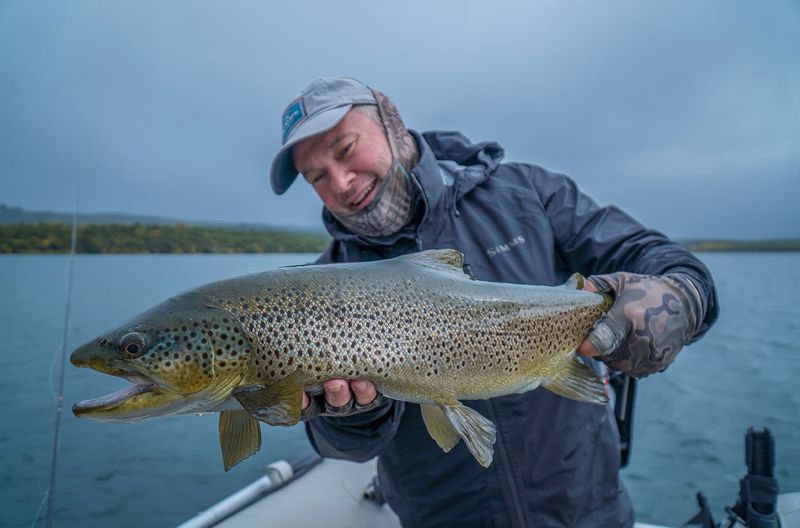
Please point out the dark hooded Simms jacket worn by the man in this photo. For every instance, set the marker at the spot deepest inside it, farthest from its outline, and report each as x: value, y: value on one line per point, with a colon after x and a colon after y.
x: 556, y: 460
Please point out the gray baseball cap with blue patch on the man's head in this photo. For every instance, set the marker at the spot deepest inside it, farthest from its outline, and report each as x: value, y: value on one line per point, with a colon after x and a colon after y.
x: 317, y: 109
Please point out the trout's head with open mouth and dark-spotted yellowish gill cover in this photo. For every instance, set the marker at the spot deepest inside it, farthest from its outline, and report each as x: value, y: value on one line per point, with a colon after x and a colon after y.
x: 181, y: 356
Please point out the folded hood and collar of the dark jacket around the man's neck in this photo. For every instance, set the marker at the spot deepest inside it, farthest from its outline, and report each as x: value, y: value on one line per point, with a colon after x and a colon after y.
x: 469, y: 165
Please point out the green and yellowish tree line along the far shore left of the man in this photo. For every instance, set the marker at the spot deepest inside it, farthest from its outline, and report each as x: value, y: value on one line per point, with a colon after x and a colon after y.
x: 52, y: 237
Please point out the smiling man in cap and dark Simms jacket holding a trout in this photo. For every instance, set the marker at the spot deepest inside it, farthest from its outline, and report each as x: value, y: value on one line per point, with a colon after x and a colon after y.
x: 389, y: 191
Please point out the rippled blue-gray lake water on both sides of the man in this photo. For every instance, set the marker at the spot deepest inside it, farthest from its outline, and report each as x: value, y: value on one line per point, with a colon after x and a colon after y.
x: 689, y: 422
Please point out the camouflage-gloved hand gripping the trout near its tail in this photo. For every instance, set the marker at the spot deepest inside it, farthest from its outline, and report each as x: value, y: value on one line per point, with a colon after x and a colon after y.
x: 652, y: 318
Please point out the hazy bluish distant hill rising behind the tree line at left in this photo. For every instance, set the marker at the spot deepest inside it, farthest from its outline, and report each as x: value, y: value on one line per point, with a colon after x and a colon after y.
x: 16, y: 215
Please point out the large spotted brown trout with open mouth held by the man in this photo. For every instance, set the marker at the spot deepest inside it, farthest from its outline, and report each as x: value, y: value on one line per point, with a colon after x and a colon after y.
x: 416, y: 326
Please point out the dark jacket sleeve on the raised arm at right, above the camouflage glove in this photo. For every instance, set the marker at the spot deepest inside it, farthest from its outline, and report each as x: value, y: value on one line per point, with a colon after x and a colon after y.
x: 595, y: 240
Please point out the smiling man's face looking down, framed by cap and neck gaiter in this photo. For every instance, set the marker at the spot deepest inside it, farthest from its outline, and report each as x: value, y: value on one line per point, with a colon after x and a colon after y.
x: 346, y: 164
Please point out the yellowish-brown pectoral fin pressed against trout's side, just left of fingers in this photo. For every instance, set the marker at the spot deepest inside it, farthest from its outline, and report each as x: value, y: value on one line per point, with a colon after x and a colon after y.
x: 277, y: 403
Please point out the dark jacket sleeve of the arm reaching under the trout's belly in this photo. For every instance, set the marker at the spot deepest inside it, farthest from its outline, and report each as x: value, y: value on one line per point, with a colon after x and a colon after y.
x: 358, y: 437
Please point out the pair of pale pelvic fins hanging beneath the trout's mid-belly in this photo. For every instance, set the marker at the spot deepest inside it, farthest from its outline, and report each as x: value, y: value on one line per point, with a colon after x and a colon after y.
x: 447, y: 422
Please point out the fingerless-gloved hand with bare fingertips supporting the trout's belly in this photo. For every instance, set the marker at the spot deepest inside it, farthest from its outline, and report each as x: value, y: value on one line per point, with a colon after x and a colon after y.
x: 338, y: 397
